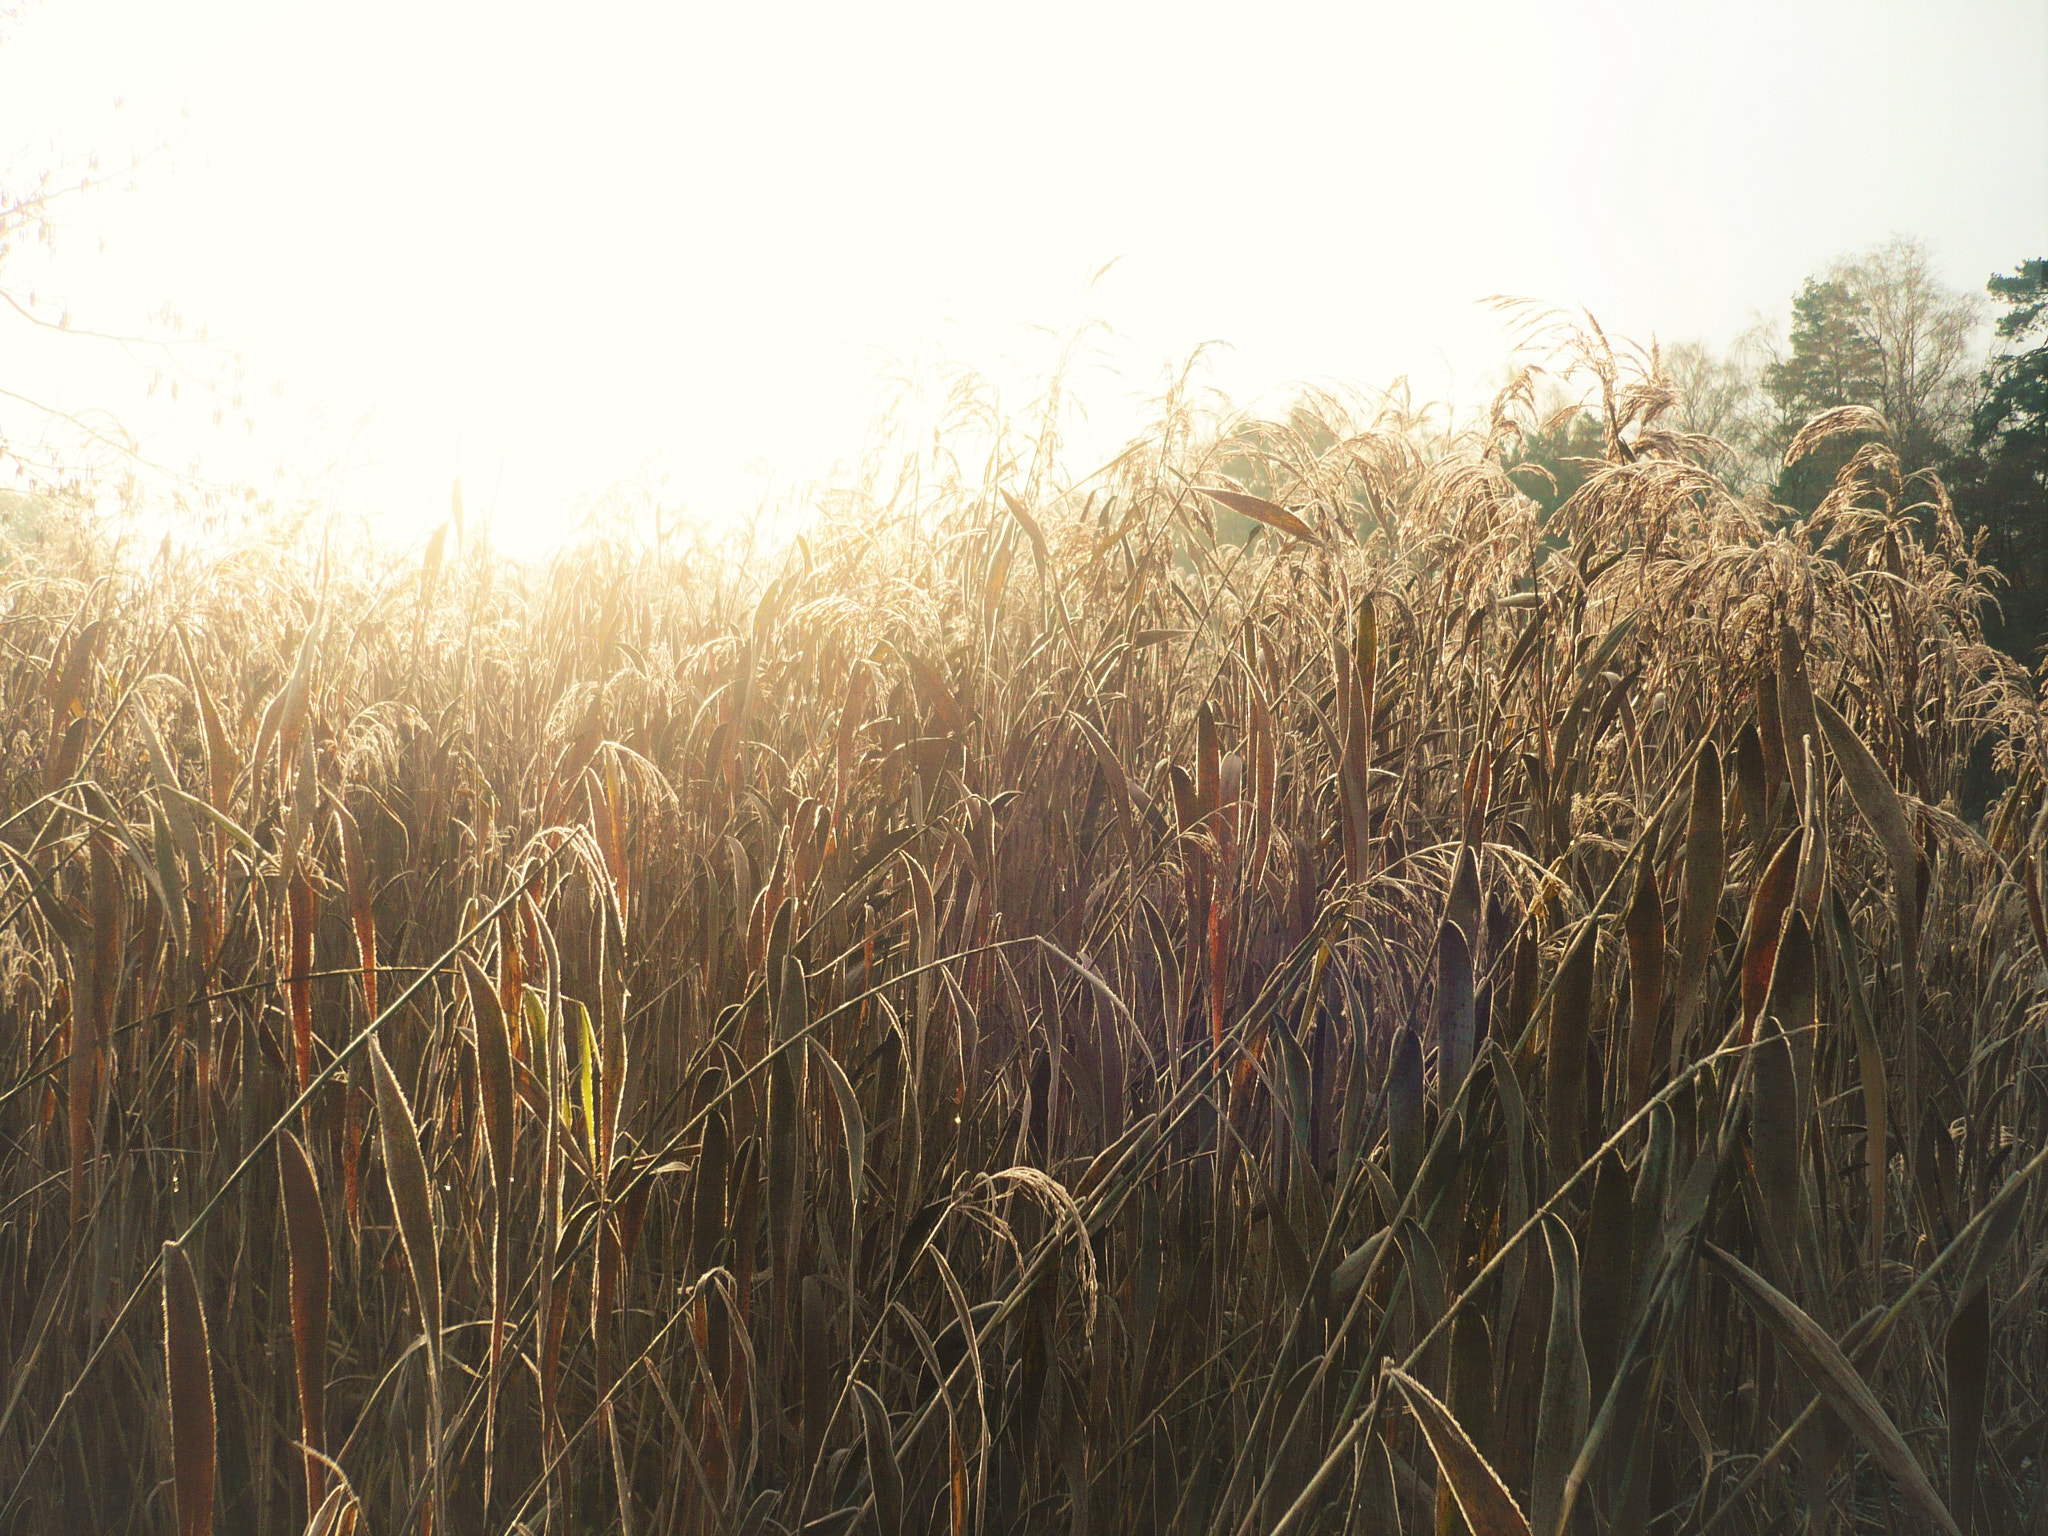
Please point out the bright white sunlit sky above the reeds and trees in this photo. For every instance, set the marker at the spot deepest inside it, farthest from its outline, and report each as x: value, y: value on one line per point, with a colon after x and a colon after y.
x: 570, y: 247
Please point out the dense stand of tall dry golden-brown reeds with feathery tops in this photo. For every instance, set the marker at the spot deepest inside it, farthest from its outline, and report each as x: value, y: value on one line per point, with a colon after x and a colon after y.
x: 1027, y: 1015
